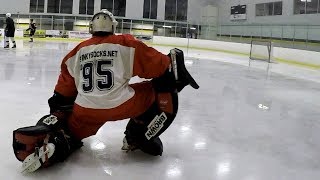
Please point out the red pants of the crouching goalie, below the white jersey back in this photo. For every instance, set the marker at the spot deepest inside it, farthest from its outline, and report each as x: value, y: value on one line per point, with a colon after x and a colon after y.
x: 85, y: 122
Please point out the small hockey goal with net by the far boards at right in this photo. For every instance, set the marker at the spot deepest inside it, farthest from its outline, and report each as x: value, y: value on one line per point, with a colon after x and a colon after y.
x: 261, y: 50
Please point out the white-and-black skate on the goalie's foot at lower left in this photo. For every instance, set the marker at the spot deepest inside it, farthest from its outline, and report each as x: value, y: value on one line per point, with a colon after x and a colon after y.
x: 32, y: 162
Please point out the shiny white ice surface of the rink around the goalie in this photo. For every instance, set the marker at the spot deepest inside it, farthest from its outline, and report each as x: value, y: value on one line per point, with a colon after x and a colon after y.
x: 257, y: 122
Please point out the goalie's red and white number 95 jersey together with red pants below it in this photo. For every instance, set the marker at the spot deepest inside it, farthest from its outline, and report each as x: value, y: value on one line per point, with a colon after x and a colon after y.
x: 97, y: 73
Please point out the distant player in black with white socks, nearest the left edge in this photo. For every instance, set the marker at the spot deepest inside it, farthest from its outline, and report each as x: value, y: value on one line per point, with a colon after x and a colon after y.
x: 9, y: 31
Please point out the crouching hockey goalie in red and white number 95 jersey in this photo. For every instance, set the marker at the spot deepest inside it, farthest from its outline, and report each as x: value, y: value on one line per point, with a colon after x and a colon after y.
x: 93, y: 88
